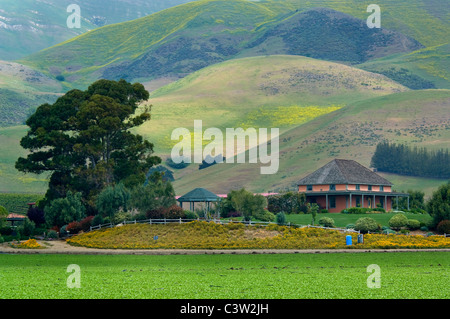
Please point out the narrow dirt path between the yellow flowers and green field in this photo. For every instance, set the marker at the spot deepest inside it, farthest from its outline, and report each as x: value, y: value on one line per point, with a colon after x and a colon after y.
x: 61, y: 247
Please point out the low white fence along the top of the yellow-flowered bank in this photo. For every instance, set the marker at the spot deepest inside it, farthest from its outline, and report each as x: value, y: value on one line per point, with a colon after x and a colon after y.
x: 218, y: 221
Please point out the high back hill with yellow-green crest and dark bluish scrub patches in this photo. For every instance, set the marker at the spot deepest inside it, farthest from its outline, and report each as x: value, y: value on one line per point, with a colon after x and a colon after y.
x: 186, y: 38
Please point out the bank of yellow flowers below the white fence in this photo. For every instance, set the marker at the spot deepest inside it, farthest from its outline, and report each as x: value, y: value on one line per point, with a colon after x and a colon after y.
x: 204, y: 235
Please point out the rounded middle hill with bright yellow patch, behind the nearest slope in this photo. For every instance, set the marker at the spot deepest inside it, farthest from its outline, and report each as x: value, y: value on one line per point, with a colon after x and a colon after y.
x: 273, y: 91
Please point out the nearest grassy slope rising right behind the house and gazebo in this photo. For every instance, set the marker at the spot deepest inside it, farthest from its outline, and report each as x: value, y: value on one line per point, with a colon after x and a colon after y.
x: 416, y: 117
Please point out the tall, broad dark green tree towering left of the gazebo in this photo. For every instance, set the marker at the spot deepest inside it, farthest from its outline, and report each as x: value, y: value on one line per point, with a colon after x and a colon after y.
x: 84, y: 140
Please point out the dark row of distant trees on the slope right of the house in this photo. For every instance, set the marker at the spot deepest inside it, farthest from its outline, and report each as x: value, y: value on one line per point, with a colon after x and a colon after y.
x: 413, y: 161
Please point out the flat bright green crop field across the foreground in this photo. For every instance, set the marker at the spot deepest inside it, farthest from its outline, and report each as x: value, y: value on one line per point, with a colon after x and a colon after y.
x: 415, y: 275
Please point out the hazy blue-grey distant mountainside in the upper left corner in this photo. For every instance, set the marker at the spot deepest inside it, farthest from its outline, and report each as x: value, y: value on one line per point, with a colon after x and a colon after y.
x: 27, y: 26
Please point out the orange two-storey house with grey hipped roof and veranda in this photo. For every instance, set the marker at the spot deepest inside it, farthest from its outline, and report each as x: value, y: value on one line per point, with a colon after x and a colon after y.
x: 342, y: 184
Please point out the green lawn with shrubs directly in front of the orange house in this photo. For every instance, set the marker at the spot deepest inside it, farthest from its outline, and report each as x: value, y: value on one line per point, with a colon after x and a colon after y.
x: 341, y: 220
